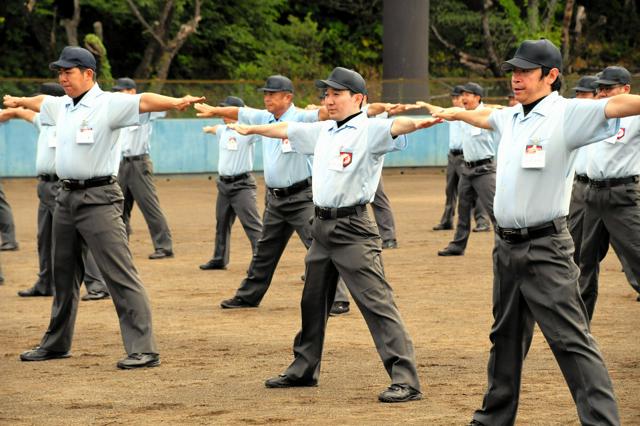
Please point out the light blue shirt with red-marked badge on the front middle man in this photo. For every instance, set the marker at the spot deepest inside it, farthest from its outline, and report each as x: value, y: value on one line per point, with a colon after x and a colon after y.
x: 347, y: 161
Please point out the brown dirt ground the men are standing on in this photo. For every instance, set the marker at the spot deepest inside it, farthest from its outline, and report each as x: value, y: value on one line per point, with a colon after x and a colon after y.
x: 214, y: 361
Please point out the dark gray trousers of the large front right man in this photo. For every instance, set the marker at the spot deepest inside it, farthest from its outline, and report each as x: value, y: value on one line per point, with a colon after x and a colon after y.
x: 536, y: 281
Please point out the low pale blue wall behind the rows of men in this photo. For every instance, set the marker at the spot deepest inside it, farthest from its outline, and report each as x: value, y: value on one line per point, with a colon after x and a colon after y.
x: 179, y: 146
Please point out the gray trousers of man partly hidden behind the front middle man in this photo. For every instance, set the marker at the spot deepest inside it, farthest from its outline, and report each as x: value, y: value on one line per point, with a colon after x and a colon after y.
x: 281, y: 217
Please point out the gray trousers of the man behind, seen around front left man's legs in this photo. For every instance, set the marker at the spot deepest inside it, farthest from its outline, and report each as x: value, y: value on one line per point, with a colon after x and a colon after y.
x: 47, y: 192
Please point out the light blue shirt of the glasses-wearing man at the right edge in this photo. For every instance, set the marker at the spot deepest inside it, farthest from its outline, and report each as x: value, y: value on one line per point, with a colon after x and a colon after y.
x: 619, y: 155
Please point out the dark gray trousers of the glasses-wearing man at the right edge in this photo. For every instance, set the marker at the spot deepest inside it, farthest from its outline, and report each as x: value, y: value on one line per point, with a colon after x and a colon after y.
x: 611, y: 215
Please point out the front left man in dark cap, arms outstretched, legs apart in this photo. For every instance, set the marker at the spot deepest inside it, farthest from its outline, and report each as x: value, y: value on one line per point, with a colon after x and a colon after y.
x: 89, y: 206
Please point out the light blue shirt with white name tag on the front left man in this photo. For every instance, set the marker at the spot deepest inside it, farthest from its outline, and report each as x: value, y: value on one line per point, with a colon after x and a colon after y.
x: 102, y: 112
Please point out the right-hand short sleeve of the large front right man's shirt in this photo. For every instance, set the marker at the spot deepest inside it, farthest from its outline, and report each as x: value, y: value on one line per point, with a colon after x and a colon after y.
x: 585, y: 122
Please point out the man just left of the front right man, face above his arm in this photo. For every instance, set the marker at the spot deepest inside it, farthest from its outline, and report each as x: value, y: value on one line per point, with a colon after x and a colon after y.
x: 478, y: 177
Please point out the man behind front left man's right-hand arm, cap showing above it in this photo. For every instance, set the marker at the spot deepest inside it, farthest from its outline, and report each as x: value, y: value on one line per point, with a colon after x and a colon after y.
x: 135, y: 177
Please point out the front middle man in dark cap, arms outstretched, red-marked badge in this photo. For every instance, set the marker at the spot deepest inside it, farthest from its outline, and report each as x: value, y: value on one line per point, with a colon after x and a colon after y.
x: 348, y: 156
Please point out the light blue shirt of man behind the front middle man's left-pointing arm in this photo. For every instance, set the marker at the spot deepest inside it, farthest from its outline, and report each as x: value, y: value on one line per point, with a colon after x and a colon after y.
x: 281, y: 169
